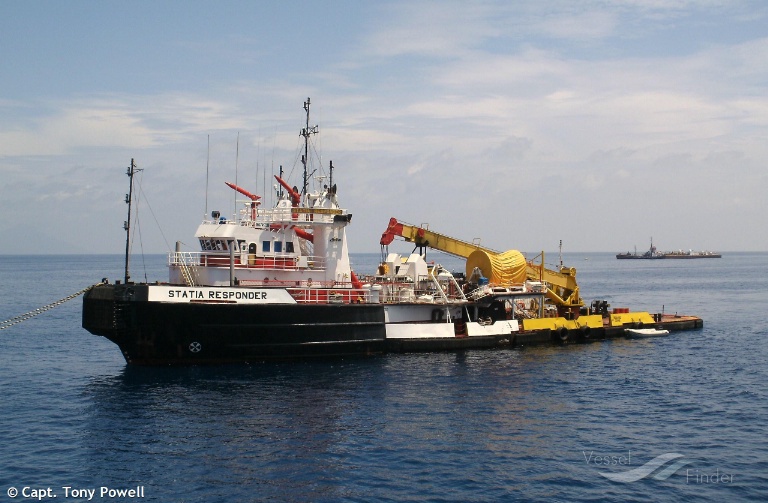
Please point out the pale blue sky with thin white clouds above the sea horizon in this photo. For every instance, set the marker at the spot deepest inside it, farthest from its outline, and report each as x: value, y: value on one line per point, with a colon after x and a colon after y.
x: 601, y: 123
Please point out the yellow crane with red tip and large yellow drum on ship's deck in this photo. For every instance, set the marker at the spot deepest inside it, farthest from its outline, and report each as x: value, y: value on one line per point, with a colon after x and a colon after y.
x: 502, y: 268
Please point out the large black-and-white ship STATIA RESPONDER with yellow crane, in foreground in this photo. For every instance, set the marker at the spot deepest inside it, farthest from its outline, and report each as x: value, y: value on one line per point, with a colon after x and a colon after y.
x: 277, y: 283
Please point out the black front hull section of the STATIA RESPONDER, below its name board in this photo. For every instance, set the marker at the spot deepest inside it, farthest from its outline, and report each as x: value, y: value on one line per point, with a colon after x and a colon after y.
x: 152, y: 333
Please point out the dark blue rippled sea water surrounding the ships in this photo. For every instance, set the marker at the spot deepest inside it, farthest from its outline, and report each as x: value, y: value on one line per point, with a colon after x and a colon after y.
x: 535, y: 424
